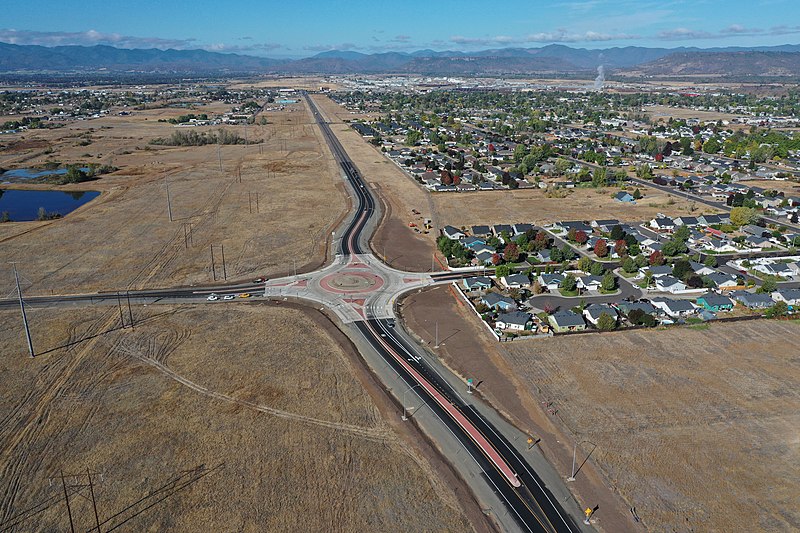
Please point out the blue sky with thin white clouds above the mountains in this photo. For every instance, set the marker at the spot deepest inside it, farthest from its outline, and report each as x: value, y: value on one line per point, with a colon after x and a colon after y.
x: 304, y: 28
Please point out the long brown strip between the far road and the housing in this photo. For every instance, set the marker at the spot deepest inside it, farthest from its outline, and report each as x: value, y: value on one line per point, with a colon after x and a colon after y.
x: 399, y: 193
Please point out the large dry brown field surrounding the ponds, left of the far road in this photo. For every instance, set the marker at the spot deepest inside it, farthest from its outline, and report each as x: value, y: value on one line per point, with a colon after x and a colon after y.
x: 124, y: 238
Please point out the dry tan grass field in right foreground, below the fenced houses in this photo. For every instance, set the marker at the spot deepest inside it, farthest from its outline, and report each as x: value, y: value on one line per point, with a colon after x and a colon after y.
x: 697, y: 429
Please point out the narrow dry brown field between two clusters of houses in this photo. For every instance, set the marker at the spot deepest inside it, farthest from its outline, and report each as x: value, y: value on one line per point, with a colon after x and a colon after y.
x: 533, y: 206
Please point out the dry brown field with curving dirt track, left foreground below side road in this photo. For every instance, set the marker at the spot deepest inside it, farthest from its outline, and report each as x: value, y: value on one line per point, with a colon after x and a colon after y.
x: 236, y: 426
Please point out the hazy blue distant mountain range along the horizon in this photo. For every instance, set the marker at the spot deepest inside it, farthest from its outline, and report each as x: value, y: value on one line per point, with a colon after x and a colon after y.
x: 781, y: 61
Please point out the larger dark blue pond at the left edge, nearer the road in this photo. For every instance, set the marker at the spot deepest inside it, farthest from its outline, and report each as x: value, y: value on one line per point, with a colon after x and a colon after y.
x: 24, y: 205
